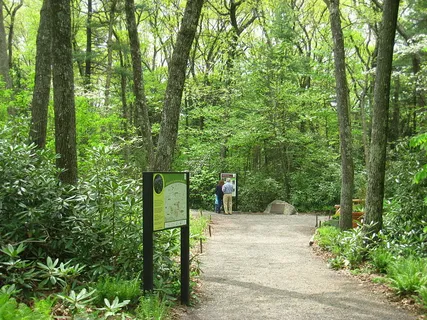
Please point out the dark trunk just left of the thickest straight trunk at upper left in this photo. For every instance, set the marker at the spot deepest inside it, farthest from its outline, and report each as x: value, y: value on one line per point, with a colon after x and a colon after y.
x: 42, y: 81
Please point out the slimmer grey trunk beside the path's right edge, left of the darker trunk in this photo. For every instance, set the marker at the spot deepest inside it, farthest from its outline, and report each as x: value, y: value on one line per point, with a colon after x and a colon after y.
x: 347, y: 168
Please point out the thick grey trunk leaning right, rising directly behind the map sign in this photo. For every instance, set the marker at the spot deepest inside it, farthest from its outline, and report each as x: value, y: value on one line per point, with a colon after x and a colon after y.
x: 176, y: 79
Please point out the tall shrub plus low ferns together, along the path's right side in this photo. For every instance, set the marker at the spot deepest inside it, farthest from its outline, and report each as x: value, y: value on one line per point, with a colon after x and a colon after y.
x: 399, y: 251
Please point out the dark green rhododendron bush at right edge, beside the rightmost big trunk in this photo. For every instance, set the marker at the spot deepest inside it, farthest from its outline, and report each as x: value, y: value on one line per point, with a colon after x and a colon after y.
x: 406, y: 209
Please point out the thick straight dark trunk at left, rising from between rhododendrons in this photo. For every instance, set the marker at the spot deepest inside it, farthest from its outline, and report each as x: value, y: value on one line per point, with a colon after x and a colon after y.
x: 63, y: 91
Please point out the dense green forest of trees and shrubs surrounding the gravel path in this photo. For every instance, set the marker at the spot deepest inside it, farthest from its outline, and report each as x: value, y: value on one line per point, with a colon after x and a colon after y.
x: 314, y: 102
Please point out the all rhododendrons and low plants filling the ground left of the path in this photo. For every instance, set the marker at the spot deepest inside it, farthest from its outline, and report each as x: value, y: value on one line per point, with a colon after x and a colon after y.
x: 76, y: 251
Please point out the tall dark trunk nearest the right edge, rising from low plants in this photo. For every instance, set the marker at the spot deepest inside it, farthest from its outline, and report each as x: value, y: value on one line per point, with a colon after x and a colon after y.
x: 377, y: 157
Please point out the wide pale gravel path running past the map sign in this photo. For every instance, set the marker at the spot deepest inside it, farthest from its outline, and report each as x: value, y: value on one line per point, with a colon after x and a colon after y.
x: 260, y: 266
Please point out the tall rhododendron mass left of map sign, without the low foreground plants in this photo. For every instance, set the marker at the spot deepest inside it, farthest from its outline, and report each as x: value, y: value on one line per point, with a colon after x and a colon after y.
x: 92, y: 223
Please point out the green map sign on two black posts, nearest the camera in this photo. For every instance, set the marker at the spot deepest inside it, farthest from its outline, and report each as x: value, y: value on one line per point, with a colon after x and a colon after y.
x: 165, y: 196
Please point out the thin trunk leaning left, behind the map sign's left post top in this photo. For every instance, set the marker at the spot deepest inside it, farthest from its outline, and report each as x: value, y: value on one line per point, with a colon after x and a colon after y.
x: 138, y: 83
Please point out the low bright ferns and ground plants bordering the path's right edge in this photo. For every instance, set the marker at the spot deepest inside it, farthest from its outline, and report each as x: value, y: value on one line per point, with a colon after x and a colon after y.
x: 402, y: 271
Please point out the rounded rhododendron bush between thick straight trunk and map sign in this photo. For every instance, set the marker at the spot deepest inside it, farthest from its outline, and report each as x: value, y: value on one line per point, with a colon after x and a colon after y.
x: 108, y: 216
